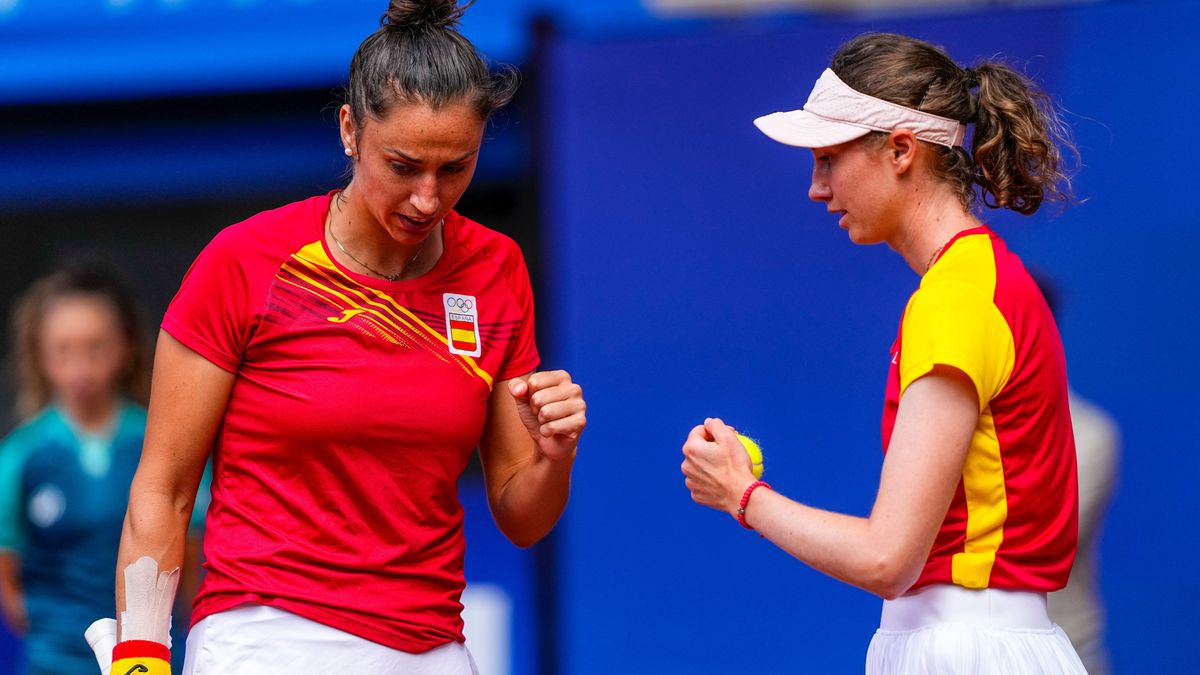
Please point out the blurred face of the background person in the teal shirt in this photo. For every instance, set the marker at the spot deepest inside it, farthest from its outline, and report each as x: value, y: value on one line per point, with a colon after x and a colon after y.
x: 83, y: 354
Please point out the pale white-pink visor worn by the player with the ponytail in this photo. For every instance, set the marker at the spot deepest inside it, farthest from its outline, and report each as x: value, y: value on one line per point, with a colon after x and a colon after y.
x: 836, y: 114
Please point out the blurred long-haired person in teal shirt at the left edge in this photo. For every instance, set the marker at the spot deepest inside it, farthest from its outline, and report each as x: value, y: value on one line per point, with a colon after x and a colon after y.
x: 82, y: 369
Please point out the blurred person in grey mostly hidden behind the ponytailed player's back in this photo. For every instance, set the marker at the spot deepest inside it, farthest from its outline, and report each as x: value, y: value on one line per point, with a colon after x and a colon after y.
x: 1079, y: 608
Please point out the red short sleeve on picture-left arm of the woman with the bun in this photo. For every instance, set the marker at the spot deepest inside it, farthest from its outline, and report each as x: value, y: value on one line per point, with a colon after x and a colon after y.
x: 213, y: 313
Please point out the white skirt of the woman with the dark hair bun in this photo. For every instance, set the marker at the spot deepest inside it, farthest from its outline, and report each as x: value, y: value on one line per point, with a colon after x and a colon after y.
x: 256, y: 640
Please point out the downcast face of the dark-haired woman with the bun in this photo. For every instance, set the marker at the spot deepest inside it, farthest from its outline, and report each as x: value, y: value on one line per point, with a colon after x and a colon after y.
x: 411, y: 169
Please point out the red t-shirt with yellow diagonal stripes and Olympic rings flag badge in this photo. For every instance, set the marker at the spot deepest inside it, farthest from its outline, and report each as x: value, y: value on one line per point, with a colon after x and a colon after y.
x: 356, y: 408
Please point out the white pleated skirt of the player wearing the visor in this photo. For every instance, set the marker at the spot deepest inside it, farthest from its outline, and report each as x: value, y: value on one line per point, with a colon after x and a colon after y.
x: 956, y: 631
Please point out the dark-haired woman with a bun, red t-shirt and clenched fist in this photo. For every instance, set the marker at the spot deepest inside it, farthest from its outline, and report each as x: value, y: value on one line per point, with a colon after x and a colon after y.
x: 341, y: 359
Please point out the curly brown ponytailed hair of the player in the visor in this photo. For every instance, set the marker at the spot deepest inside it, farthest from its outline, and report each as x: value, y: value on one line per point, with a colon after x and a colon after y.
x: 1017, y: 152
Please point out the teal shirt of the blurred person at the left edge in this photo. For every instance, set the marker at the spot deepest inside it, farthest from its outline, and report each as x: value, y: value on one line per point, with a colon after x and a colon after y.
x: 63, y: 500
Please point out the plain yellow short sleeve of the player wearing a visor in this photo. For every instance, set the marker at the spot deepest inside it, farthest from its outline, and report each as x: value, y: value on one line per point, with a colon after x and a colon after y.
x: 957, y: 325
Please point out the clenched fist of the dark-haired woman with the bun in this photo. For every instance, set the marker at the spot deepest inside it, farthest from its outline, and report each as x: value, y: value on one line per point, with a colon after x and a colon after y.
x: 553, y: 410
